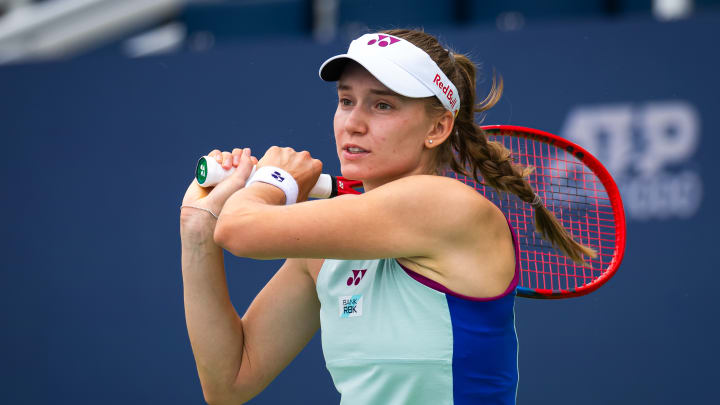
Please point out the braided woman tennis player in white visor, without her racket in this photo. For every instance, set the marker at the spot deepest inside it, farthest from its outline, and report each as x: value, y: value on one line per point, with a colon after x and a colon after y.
x: 412, y: 283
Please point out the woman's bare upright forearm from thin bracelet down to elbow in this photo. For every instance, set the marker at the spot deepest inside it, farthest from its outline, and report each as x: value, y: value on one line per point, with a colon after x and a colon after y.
x: 214, y: 327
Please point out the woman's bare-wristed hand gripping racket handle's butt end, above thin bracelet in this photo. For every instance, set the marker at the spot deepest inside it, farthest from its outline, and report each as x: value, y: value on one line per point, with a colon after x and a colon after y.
x: 213, y: 198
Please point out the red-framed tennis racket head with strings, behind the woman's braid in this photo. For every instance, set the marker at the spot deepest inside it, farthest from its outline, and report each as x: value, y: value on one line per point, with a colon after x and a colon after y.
x: 575, y: 187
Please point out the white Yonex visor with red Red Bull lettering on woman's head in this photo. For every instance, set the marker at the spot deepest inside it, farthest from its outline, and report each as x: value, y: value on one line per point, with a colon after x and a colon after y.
x: 399, y: 65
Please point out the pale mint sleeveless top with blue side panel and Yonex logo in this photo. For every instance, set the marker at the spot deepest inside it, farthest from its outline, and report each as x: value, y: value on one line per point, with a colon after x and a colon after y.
x: 392, y: 336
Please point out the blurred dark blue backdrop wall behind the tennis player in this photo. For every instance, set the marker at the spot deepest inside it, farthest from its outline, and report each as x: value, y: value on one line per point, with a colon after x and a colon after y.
x: 106, y: 105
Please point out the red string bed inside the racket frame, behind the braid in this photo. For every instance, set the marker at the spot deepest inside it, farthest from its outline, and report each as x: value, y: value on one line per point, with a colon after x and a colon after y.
x: 575, y: 195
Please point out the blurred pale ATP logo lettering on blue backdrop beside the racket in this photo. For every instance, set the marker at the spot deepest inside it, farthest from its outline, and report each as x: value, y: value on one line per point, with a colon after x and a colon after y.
x: 649, y: 150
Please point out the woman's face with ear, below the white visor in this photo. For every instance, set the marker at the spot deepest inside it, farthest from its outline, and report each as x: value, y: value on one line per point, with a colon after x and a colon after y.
x: 379, y: 134
